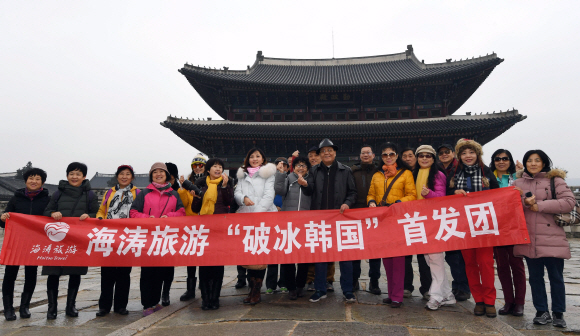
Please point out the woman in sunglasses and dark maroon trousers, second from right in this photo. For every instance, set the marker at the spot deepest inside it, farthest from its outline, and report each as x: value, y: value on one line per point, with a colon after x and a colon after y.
x: 504, y: 168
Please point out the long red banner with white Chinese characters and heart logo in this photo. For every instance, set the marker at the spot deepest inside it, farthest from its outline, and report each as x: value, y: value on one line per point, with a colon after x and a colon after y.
x: 487, y: 218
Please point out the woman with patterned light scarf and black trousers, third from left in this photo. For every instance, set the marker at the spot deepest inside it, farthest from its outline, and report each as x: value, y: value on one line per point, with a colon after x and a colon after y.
x: 116, y: 281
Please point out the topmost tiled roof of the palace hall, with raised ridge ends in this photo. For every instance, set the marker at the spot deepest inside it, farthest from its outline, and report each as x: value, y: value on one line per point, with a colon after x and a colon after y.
x: 341, y: 73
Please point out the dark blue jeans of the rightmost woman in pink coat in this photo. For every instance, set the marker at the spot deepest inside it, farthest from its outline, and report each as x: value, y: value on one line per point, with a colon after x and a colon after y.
x: 555, y: 267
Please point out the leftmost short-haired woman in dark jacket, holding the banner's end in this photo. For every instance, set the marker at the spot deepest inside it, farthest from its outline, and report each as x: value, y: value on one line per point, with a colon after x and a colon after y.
x: 30, y: 200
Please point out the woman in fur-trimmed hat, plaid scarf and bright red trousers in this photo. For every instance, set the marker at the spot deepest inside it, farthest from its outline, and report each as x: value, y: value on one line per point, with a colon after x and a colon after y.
x: 471, y: 175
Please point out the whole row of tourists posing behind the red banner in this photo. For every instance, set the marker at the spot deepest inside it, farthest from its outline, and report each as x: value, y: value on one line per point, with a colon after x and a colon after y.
x: 319, y: 182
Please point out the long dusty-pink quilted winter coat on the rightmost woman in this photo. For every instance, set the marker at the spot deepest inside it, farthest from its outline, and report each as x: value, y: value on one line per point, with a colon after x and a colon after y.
x: 547, y: 239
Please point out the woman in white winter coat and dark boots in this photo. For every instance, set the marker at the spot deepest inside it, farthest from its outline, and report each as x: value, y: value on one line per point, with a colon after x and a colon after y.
x: 255, y: 193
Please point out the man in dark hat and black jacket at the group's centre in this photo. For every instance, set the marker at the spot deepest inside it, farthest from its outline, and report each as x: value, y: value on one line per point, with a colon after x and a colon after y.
x: 333, y: 188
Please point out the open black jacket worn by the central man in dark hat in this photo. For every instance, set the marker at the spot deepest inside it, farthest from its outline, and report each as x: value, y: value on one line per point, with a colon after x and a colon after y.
x: 344, y: 187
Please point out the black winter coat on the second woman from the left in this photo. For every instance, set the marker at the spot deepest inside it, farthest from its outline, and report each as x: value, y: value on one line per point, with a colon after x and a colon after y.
x: 65, y: 204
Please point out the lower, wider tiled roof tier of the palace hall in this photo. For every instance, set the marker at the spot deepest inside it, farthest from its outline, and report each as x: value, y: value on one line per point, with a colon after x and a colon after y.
x: 225, y: 129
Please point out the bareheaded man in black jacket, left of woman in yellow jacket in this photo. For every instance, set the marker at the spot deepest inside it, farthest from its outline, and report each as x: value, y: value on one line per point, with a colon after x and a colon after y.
x: 363, y: 174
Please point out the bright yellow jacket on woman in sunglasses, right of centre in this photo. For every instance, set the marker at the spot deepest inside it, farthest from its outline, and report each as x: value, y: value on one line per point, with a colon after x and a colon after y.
x: 403, y: 189
